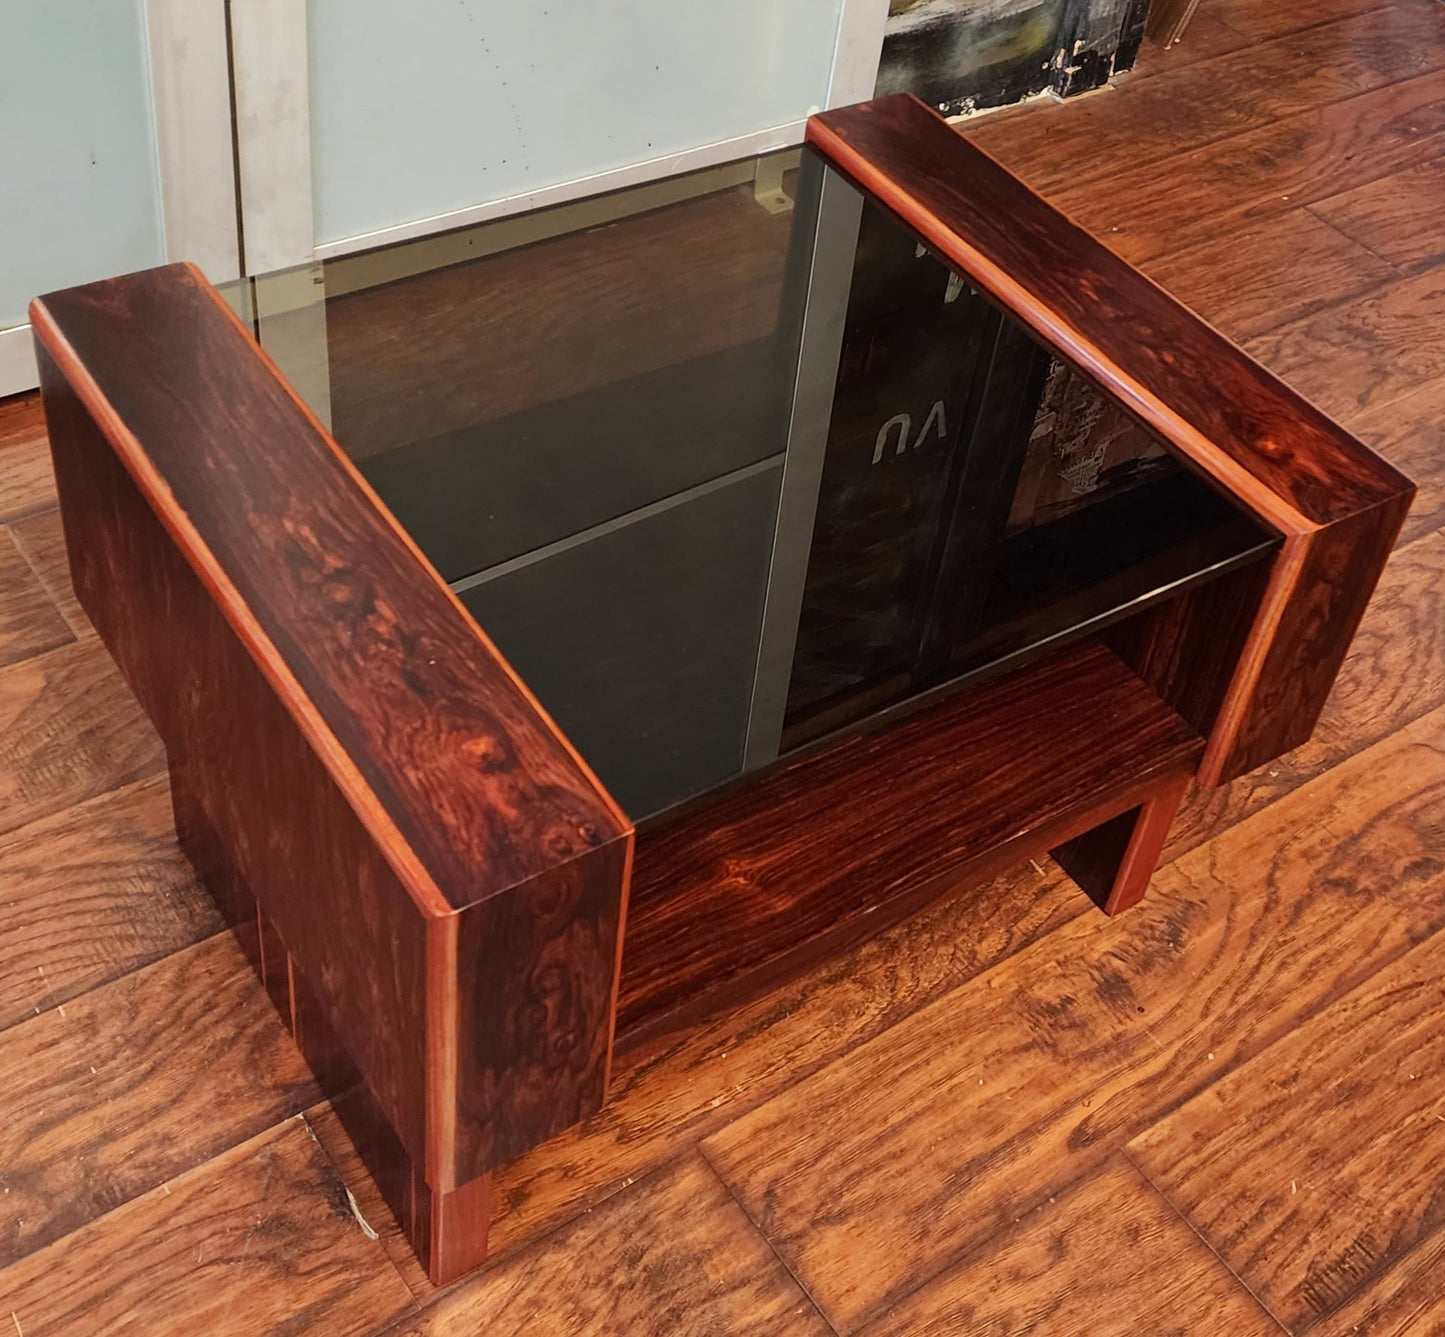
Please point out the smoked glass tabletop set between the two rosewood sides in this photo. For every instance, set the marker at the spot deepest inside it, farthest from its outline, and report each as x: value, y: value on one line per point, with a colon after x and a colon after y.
x: 730, y: 463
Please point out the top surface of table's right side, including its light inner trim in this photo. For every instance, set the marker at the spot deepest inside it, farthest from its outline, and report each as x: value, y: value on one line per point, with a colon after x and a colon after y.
x: 1178, y: 375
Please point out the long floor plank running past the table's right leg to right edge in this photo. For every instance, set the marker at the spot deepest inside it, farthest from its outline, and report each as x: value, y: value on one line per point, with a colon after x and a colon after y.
x: 1066, y: 1063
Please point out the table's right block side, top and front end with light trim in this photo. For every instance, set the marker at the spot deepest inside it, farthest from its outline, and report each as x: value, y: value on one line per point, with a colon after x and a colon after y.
x: 1339, y: 507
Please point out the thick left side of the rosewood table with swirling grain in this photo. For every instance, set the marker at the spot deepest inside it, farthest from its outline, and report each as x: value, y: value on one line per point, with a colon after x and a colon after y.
x: 340, y: 735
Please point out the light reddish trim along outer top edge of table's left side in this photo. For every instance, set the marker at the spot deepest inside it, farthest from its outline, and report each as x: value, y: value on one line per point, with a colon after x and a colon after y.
x: 420, y: 885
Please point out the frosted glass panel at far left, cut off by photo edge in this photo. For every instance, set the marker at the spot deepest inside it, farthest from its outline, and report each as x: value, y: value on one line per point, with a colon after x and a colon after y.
x: 82, y: 196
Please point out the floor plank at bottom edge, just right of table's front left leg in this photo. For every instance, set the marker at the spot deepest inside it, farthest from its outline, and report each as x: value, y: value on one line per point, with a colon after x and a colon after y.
x: 691, y: 1260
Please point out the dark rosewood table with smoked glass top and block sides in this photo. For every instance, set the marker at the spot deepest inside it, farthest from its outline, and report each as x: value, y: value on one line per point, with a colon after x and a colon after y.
x: 618, y: 611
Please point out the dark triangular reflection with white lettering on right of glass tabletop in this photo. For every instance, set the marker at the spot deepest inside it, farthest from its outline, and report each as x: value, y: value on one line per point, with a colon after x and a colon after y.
x: 979, y: 498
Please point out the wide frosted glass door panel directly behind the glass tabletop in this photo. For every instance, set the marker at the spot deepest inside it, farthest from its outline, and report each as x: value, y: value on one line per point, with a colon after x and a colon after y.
x: 428, y: 108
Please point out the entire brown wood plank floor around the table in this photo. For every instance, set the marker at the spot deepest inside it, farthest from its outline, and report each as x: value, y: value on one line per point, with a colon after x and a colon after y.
x: 1222, y: 1114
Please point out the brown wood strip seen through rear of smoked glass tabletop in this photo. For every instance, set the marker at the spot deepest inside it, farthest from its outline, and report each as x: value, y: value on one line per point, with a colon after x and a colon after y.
x: 470, y: 343
